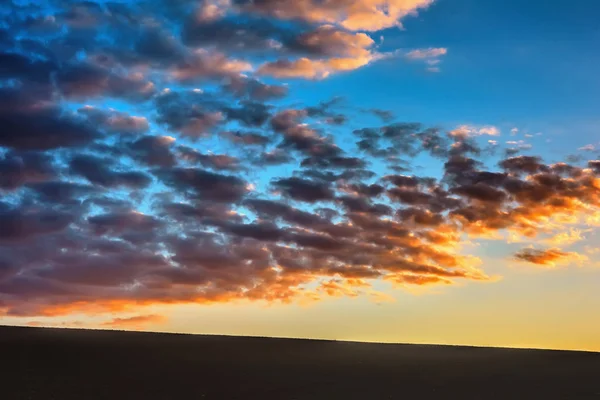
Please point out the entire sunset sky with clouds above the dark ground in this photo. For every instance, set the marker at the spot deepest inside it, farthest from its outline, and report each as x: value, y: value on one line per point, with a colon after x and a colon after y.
x: 417, y: 171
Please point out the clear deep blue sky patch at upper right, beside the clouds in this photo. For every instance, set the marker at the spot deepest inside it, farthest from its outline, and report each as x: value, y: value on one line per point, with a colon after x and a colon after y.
x: 529, y: 64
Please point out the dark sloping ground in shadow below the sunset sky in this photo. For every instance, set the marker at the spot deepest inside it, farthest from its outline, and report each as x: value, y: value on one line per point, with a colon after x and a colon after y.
x: 64, y: 364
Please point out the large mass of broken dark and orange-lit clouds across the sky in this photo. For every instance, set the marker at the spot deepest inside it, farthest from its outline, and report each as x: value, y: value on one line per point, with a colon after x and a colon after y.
x: 166, y: 164
